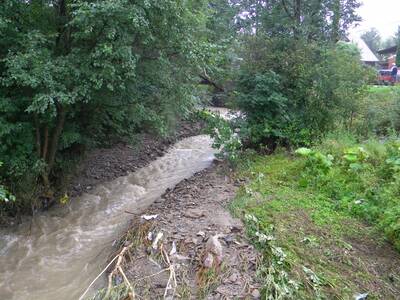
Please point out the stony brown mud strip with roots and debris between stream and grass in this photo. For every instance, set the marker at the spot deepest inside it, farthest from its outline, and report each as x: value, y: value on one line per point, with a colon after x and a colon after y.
x: 213, y: 259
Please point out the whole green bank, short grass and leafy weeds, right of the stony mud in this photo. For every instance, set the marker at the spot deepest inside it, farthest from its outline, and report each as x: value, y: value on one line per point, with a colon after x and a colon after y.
x: 322, y: 220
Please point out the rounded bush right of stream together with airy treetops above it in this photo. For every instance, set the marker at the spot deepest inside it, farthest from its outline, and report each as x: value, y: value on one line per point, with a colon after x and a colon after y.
x: 296, y: 81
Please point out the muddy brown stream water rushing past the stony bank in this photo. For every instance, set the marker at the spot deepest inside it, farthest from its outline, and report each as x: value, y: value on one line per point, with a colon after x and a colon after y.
x: 56, y: 254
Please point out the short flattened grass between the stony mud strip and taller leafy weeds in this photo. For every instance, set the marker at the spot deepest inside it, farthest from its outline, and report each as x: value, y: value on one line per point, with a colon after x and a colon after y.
x: 320, y: 239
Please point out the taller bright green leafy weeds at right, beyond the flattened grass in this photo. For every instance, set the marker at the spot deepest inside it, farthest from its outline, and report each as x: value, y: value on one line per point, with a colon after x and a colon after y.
x: 363, y: 180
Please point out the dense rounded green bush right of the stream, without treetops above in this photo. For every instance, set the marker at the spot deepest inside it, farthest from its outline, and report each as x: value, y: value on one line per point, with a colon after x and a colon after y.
x: 316, y: 89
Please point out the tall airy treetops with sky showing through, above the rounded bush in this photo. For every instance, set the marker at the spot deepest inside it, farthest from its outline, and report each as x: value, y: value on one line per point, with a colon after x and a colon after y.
x: 313, y: 19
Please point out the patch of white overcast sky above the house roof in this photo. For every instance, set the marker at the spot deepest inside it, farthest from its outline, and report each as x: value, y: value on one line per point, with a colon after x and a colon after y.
x: 384, y: 15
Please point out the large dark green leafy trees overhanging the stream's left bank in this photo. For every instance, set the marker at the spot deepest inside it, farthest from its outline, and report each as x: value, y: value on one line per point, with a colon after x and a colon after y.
x: 74, y: 74
